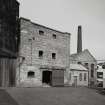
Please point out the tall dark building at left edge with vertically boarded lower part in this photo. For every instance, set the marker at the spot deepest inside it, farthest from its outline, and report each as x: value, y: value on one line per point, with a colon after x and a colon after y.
x: 9, y: 39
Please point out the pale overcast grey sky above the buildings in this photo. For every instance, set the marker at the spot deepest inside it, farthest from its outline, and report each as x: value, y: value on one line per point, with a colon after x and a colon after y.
x: 66, y: 15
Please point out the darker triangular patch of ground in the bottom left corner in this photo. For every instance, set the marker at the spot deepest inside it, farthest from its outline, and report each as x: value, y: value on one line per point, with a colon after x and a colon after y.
x: 6, y: 99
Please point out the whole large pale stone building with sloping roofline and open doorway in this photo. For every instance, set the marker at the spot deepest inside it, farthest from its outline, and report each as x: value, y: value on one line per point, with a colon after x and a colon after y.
x: 43, y: 56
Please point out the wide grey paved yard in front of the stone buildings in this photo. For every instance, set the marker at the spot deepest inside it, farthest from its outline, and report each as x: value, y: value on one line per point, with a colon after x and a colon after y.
x: 57, y: 96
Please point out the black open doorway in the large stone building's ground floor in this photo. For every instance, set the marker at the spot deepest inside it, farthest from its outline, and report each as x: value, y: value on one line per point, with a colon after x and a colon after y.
x: 47, y: 77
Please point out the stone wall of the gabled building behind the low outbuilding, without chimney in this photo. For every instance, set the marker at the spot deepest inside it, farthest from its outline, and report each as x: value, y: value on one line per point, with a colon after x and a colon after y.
x: 83, y: 58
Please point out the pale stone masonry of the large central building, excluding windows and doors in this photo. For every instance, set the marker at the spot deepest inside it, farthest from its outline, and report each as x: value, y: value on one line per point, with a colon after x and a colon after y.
x: 30, y: 45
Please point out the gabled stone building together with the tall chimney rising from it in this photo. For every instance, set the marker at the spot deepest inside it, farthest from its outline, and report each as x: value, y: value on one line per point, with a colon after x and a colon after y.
x: 86, y: 59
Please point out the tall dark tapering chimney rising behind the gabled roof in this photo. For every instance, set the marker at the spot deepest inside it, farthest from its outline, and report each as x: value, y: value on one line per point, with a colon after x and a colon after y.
x: 79, y: 40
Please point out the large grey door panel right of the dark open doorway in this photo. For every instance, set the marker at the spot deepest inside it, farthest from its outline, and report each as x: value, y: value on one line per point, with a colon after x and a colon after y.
x: 58, y: 78
